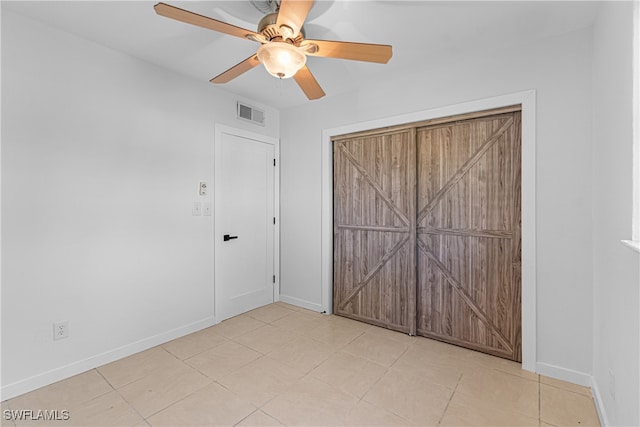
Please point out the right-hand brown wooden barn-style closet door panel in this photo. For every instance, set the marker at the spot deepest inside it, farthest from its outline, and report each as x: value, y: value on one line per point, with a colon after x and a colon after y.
x: 468, y: 234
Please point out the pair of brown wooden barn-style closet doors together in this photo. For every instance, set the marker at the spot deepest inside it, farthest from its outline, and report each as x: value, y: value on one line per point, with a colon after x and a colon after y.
x: 427, y: 229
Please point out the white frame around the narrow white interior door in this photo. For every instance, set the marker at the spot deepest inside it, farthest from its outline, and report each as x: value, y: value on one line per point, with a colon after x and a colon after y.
x: 220, y: 130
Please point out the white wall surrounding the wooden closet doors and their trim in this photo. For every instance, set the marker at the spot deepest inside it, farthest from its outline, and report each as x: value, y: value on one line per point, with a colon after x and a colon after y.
x: 559, y: 69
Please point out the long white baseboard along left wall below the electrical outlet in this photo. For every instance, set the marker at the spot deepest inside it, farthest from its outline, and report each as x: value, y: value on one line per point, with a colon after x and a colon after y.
x: 26, y: 385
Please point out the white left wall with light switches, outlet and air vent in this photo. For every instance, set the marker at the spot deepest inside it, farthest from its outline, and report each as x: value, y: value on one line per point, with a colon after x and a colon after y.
x: 101, y: 159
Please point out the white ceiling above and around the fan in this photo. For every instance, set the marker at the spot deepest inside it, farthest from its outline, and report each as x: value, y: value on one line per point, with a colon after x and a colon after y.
x: 421, y: 32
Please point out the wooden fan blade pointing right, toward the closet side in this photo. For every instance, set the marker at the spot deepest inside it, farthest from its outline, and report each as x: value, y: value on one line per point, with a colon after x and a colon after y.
x: 380, y: 53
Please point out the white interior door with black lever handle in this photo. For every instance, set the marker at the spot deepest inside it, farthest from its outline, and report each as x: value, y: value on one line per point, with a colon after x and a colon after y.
x: 244, y: 213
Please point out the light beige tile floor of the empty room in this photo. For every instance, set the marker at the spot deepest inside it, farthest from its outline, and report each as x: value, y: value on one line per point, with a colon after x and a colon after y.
x: 283, y: 365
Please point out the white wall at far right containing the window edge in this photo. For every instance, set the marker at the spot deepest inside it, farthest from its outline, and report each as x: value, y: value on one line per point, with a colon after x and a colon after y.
x: 616, y: 267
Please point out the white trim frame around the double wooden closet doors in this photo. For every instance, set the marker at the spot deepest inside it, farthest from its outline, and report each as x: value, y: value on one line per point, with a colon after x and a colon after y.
x: 528, y: 168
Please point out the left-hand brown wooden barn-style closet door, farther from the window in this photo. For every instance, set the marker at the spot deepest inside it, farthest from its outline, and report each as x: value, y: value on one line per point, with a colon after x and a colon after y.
x: 374, y: 229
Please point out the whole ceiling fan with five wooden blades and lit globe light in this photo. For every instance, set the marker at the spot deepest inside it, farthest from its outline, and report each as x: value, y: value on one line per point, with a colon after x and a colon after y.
x: 283, y: 50
